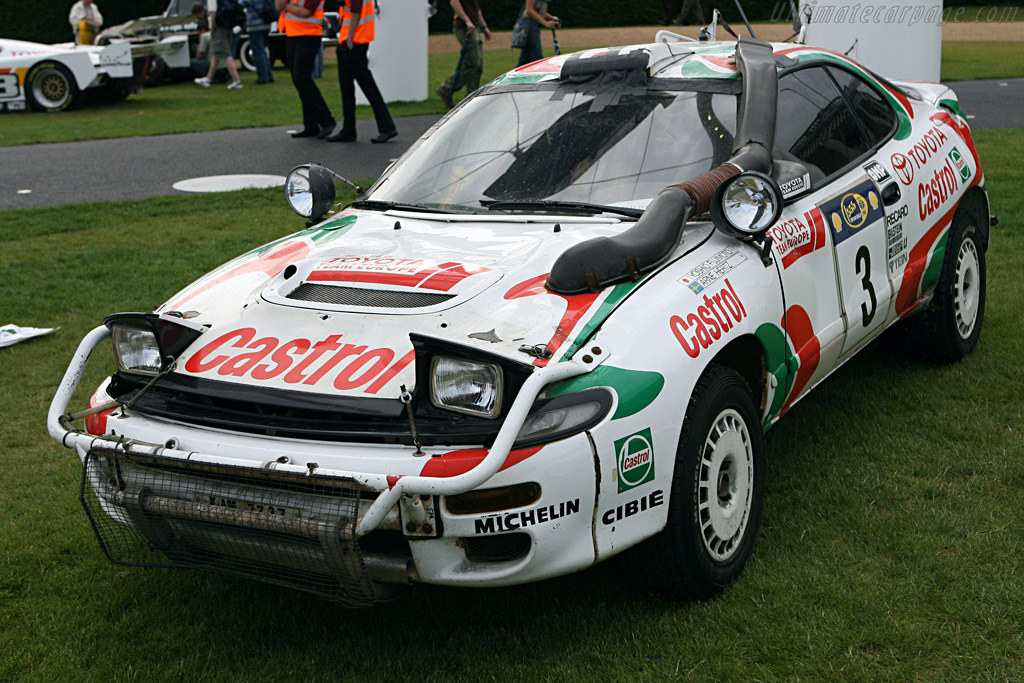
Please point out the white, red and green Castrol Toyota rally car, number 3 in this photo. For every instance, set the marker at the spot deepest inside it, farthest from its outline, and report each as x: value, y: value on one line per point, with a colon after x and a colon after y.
x: 557, y: 329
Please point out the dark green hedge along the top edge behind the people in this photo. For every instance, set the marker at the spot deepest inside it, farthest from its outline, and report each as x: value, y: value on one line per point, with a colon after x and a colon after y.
x: 47, y: 22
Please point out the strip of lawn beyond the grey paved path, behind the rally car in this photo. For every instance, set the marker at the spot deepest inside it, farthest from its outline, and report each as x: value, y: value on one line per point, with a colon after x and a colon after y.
x: 184, y: 108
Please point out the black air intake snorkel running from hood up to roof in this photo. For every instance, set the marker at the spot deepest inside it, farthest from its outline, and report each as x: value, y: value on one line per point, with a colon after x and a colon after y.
x: 592, y: 266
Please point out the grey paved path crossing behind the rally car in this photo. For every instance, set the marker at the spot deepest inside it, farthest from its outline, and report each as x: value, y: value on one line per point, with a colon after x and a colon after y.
x: 141, y: 167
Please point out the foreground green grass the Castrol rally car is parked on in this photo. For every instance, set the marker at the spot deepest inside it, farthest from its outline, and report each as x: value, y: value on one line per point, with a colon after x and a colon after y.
x: 891, y: 547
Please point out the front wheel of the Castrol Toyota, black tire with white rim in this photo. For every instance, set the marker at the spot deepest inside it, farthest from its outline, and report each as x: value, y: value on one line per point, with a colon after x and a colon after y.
x: 717, y: 488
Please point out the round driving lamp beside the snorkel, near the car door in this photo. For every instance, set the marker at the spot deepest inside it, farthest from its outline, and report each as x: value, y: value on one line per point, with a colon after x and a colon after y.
x: 747, y: 205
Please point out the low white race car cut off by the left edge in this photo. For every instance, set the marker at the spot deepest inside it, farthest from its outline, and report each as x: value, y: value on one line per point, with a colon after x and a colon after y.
x: 53, y: 78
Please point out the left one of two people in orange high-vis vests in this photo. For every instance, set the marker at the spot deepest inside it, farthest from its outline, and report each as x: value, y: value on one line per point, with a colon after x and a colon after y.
x: 305, y: 32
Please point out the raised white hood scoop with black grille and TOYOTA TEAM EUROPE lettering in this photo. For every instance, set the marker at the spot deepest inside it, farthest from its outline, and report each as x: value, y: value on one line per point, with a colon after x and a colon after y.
x: 383, y: 284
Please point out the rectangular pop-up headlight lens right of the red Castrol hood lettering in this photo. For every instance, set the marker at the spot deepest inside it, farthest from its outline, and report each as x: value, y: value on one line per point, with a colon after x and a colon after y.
x: 466, y: 387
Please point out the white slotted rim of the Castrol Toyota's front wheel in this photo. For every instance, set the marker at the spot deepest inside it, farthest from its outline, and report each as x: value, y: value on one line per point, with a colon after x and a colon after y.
x: 727, y: 486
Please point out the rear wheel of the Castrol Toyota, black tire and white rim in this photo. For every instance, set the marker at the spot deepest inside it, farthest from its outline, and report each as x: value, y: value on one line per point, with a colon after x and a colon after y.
x: 951, y: 327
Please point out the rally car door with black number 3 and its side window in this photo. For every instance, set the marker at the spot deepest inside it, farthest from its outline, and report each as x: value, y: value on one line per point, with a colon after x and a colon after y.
x: 831, y: 241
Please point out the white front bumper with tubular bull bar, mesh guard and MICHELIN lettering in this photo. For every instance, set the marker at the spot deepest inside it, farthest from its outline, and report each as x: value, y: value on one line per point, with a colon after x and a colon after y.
x: 233, y: 504
